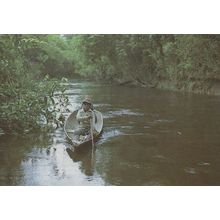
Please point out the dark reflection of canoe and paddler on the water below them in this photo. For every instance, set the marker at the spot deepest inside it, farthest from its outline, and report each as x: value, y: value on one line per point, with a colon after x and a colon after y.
x: 83, y: 155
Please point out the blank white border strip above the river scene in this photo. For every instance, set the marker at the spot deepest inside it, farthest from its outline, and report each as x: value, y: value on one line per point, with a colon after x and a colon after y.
x: 109, y: 16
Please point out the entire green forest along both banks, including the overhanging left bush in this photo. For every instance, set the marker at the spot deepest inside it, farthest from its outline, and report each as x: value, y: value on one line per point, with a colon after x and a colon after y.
x: 33, y: 67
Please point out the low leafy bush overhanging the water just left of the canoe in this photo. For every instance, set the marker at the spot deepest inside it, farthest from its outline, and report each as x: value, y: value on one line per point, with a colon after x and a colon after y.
x: 33, y: 105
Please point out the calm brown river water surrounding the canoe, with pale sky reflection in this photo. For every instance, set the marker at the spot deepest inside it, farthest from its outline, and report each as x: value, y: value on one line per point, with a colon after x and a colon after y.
x: 150, y: 137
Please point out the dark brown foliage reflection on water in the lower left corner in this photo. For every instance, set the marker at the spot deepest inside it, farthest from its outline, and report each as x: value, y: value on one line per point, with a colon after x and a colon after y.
x: 13, y: 150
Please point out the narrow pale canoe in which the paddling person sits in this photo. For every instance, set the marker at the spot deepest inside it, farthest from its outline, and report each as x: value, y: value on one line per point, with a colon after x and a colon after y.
x: 71, y: 124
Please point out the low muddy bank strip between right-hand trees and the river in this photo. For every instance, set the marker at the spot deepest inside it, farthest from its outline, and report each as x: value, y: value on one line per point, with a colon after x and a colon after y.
x: 209, y: 86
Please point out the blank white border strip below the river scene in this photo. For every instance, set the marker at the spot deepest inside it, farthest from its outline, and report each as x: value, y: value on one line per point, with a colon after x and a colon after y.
x: 110, y: 203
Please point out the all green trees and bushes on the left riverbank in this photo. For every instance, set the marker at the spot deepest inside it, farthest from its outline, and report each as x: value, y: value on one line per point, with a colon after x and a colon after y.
x: 27, y: 96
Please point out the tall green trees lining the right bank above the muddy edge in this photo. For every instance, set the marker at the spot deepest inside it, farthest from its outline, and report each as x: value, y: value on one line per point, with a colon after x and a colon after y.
x: 147, y: 58
